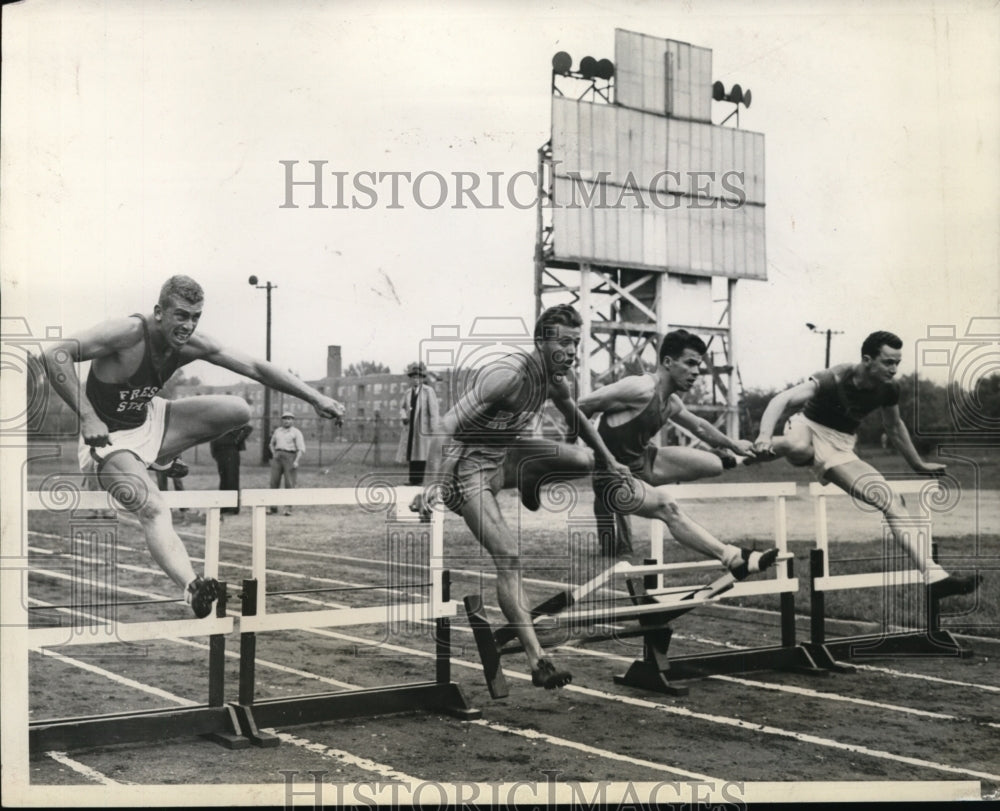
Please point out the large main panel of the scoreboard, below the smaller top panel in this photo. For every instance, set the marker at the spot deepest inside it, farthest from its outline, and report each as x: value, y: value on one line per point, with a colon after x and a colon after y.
x: 641, y: 189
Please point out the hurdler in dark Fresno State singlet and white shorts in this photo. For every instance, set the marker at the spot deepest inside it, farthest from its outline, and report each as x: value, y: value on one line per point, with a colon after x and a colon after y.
x: 125, y: 428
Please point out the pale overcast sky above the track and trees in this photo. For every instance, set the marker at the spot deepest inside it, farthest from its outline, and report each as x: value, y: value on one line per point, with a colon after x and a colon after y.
x: 144, y: 139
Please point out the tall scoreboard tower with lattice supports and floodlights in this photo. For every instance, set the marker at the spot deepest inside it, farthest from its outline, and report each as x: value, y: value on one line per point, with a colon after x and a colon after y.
x: 649, y: 213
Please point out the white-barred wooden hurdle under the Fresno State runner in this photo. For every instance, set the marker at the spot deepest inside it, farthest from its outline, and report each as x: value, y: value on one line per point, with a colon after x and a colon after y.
x: 215, y: 720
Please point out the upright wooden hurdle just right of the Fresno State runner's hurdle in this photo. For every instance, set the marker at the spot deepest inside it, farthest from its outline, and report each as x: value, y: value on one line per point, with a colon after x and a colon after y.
x: 439, y: 695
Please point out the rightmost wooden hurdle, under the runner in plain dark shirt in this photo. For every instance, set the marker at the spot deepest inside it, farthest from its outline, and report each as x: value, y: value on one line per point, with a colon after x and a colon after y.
x: 928, y: 640
